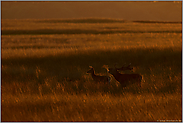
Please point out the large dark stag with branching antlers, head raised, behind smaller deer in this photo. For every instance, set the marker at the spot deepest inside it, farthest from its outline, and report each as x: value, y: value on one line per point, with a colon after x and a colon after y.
x: 125, y: 79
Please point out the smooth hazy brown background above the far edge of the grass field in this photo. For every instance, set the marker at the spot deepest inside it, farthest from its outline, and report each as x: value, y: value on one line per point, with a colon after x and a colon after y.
x: 157, y: 11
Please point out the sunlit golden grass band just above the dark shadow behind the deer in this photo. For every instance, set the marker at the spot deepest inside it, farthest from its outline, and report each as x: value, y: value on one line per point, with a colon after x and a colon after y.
x: 45, y: 45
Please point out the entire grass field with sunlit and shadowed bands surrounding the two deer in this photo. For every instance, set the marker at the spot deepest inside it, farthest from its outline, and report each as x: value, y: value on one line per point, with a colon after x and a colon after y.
x: 44, y: 64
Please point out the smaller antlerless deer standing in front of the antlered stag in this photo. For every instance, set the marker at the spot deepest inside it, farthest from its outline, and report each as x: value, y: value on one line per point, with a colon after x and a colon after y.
x: 98, y: 78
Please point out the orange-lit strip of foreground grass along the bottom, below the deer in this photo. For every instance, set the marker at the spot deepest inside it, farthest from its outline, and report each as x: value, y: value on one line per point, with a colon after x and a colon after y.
x: 145, y: 107
